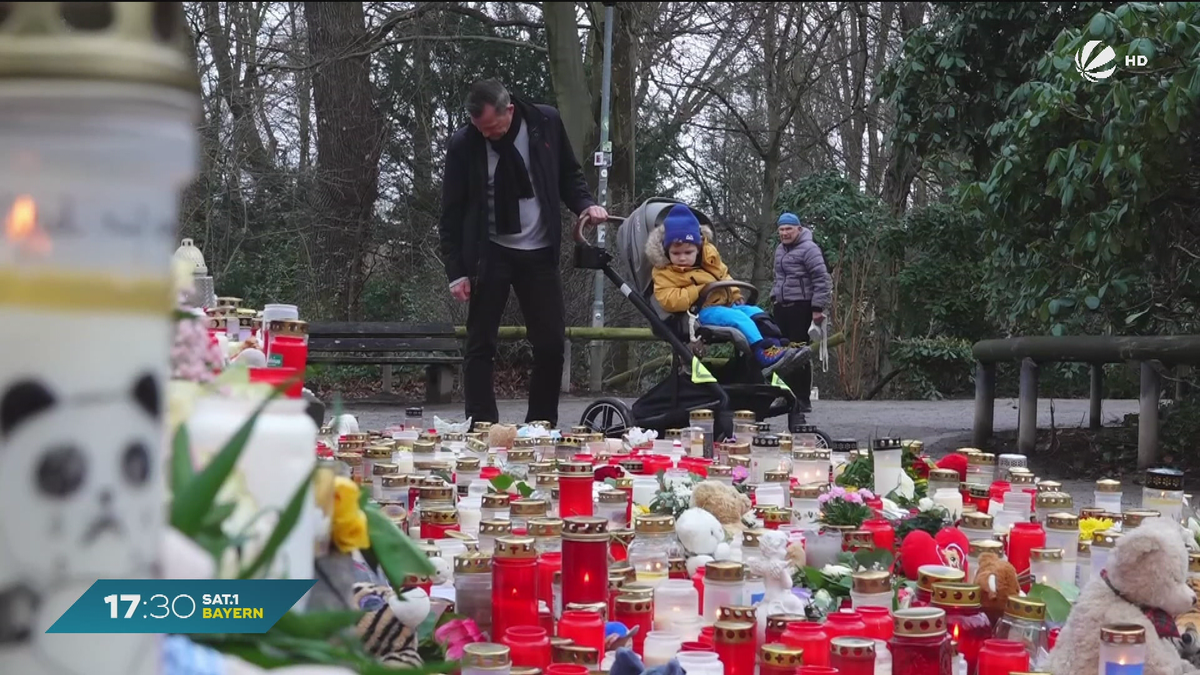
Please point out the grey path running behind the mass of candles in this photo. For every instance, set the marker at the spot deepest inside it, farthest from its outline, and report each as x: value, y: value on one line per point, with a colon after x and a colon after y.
x: 943, y: 426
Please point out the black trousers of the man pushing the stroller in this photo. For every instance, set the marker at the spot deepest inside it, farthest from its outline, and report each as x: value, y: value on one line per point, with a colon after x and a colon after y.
x: 536, y: 279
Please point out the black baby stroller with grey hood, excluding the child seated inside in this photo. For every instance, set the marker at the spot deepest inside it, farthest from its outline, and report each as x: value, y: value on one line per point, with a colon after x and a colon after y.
x: 691, y: 386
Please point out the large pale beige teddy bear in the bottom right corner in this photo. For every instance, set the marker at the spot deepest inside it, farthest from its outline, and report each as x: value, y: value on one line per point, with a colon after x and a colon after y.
x: 1144, y: 584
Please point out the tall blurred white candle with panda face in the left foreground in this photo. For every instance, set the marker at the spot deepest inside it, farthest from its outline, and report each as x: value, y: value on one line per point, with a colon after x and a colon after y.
x: 98, y: 130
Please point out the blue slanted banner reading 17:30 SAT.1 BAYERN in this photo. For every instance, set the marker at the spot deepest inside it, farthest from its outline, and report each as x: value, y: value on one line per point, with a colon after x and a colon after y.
x: 182, y: 606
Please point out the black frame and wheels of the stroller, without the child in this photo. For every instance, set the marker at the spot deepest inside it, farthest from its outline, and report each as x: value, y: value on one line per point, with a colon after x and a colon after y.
x: 613, y: 416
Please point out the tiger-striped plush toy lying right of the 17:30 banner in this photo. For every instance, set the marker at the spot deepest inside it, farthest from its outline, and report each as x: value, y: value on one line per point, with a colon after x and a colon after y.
x: 389, y: 629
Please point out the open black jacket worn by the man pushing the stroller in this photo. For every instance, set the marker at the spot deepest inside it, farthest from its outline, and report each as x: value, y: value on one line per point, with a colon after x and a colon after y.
x: 556, y: 176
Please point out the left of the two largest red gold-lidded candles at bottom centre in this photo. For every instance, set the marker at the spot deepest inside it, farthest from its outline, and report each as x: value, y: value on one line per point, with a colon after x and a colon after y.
x: 514, y: 584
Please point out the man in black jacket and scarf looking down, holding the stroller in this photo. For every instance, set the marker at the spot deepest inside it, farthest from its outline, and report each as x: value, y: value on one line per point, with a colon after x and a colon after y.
x: 506, y: 175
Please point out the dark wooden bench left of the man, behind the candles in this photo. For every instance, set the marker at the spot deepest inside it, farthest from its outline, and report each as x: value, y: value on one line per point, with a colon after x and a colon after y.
x: 386, y: 344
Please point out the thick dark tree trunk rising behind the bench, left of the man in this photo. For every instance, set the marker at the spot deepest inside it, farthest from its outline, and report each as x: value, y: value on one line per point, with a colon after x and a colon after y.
x: 350, y: 141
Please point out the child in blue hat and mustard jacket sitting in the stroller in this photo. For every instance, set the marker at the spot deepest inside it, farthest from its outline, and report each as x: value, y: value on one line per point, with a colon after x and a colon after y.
x: 686, y: 260
